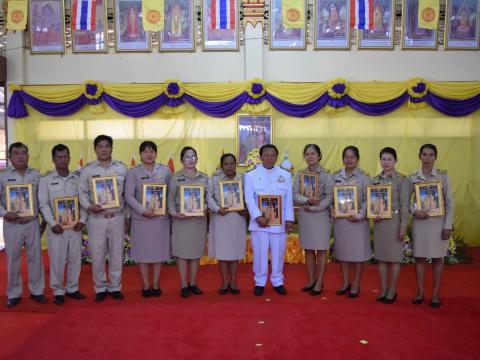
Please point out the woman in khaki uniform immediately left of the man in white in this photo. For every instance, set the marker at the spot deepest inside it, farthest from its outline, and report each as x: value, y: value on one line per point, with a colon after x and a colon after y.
x: 228, y: 229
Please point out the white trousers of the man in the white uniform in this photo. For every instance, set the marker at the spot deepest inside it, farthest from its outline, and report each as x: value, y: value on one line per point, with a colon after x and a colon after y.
x: 261, y: 242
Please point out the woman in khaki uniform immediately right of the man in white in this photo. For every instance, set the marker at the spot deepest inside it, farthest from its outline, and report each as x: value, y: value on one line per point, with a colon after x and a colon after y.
x: 314, y: 223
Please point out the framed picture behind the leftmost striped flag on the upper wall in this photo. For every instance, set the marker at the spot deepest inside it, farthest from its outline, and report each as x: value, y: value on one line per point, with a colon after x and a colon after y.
x: 93, y: 40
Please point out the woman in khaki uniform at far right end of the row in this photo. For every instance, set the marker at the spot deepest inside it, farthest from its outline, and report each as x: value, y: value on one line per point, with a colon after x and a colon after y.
x: 431, y: 233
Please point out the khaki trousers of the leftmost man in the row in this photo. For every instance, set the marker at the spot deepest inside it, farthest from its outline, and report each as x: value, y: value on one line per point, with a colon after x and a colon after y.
x: 17, y: 236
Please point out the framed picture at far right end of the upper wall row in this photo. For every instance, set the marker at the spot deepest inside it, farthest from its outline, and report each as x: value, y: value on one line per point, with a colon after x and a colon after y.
x: 462, y: 24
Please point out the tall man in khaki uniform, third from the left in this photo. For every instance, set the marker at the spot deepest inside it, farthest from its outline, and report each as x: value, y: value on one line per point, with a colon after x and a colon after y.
x: 105, y: 226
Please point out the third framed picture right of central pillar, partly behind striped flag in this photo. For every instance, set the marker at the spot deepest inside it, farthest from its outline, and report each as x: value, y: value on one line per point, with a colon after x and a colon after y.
x: 382, y: 35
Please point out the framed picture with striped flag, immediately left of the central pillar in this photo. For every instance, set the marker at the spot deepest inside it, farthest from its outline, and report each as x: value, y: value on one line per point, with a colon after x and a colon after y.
x: 220, y: 25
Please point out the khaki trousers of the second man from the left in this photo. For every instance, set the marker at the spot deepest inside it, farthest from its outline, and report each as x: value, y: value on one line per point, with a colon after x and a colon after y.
x: 64, y: 249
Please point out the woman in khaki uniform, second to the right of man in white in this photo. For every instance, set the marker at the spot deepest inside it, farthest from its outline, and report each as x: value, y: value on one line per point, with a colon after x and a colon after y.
x: 352, y: 234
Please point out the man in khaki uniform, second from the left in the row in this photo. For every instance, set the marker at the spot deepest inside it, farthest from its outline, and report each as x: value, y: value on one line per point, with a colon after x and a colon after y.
x: 64, y: 245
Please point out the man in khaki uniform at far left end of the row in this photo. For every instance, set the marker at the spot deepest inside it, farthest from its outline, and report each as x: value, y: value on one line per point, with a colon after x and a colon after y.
x: 21, y: 232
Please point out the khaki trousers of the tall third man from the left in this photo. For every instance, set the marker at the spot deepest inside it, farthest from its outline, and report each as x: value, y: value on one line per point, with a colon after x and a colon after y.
x: 106, y: 237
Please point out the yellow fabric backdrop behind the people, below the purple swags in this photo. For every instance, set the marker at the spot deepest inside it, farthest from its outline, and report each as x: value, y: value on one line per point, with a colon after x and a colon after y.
x: 457, y: 139
